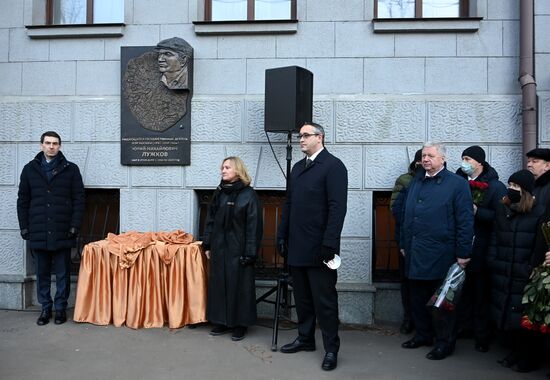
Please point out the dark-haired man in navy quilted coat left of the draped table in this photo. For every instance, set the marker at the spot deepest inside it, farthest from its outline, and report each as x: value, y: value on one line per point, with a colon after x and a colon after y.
x: 50, y: 207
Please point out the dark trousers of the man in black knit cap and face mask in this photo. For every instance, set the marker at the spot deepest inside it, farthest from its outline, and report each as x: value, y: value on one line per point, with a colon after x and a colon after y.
x: 474, y: 305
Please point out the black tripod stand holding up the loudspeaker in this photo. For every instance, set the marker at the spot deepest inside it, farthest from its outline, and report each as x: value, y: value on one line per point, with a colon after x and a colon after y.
x: 284, y: 280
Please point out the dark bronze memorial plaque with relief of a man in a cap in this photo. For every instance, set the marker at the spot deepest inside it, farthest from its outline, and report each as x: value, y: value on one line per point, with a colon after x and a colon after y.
x: 156, y: 91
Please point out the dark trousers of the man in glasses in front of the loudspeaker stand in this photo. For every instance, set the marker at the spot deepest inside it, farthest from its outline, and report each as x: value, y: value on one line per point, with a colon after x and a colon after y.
x: 316, y: 299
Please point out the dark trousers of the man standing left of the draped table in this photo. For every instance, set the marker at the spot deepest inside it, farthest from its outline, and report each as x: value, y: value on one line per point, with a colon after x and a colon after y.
x: 59, y: 261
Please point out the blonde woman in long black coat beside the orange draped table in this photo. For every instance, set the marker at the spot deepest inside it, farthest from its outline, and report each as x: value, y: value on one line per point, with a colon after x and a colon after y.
x: 232, y: 237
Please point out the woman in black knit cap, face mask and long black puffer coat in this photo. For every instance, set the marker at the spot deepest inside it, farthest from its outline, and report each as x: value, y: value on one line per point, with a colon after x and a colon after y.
x: 510, y: 255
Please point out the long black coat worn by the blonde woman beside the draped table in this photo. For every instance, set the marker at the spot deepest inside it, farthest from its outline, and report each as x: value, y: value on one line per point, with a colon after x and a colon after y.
x: 231, y: 287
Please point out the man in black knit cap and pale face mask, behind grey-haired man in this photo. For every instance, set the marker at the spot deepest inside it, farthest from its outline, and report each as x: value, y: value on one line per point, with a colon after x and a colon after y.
x: 473, y: 309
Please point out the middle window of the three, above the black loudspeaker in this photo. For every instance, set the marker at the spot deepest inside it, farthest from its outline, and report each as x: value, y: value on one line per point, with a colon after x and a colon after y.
x: 249, y: 10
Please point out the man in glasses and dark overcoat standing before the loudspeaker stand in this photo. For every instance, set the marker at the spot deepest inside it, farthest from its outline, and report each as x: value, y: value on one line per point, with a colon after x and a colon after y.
x: 311, y: 224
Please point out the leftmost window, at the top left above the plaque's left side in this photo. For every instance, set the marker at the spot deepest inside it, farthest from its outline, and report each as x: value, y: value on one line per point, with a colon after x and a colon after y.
x: 79, y: 12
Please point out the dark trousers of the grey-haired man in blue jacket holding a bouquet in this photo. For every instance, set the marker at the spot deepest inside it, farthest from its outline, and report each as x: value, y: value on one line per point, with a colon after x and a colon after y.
x: 430, y: 321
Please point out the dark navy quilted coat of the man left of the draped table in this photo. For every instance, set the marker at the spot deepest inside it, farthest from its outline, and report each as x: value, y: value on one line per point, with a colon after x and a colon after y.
x: 48, y: 209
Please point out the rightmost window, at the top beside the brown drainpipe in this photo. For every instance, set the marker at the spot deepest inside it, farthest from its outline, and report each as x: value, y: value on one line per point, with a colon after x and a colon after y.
x: 421, y: 8
